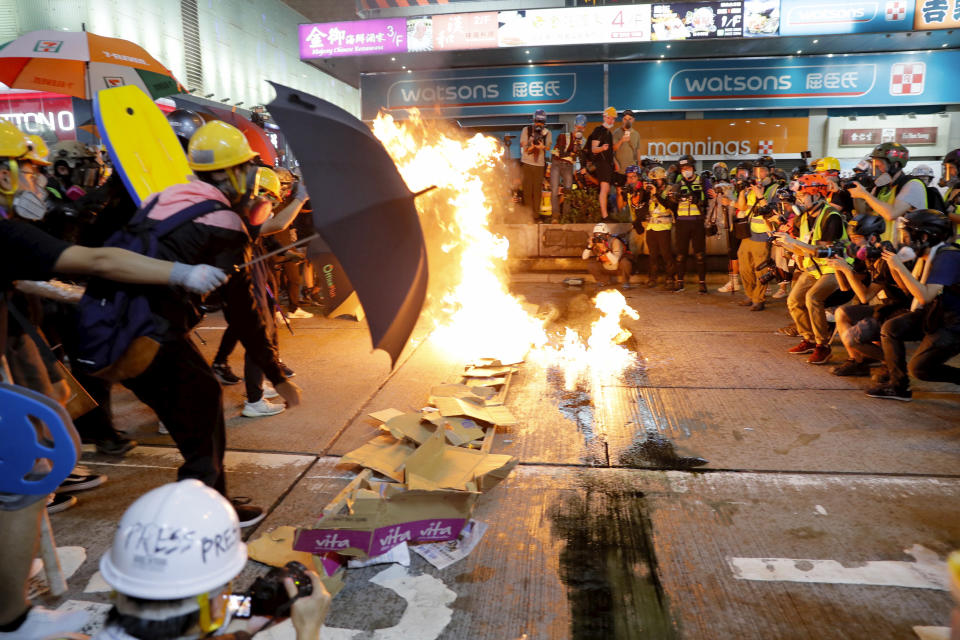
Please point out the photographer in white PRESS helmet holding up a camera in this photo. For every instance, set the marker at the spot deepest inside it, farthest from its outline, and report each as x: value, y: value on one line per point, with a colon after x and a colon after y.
x: 173, y: 560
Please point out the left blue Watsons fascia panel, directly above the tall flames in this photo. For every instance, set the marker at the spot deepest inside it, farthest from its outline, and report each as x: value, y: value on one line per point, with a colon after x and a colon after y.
x: 503, y: 91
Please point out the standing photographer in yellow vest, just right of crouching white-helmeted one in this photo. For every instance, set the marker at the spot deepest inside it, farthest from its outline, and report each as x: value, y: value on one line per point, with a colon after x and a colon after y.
x: 657, y: 205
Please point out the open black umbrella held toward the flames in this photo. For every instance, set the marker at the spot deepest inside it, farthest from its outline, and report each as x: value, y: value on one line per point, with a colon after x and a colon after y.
x: 363, y: 209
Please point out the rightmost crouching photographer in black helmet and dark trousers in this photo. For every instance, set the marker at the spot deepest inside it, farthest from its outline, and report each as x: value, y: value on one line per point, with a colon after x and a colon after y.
x: 934, y: 316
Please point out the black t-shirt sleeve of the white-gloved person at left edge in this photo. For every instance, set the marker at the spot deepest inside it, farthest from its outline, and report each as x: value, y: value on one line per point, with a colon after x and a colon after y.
x: 26, y: 252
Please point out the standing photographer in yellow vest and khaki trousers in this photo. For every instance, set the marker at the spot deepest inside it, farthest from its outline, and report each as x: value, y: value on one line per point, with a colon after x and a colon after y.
x: 756, y: 193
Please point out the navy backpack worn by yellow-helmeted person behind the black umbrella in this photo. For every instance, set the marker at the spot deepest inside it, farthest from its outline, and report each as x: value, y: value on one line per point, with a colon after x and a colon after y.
x: 118, y: 333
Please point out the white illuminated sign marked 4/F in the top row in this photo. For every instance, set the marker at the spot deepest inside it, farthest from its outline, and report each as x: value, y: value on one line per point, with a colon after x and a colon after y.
x: 536, y: 27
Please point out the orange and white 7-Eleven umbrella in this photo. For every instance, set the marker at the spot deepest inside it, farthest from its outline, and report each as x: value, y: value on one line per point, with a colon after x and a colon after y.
x: 78, y: 63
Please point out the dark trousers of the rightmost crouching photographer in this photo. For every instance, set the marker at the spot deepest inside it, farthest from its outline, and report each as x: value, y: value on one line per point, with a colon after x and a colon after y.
x: 928, y: 361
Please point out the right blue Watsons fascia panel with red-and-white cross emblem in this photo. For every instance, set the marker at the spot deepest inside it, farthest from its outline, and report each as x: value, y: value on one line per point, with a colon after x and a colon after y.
x: 815, y: 81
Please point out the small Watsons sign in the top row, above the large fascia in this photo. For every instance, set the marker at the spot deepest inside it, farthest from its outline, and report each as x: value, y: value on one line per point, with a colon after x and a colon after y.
x: 813, y: 17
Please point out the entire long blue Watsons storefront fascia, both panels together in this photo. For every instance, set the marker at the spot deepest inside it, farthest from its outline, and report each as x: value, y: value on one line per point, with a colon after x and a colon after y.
x: 855, y: 80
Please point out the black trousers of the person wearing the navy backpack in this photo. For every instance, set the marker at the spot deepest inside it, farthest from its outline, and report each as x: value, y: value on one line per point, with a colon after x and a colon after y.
x: 180, y: 387
